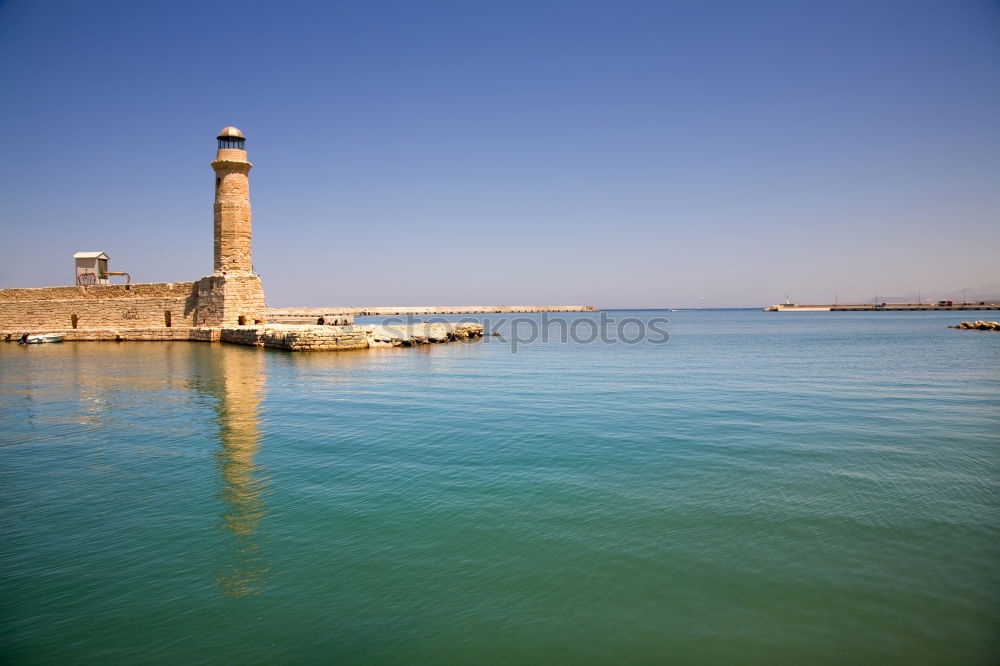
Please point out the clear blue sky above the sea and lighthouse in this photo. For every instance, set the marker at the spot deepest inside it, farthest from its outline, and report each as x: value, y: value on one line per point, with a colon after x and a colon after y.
x: 622, y: 154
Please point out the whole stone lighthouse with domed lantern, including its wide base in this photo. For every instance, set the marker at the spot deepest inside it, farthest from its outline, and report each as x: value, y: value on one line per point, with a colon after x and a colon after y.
x: 232, y: 295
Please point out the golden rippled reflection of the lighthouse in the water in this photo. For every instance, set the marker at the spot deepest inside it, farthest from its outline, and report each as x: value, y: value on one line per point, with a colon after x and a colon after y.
x: 240, y: 388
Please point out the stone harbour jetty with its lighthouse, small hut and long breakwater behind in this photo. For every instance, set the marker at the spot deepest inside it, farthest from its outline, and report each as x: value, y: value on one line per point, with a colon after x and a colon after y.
x: 226, y: 306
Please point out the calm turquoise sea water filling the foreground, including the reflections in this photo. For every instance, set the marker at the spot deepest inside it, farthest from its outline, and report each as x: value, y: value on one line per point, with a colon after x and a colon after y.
x: 763, y: 489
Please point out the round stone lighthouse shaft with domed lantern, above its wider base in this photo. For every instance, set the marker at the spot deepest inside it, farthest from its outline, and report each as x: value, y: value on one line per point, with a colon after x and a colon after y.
x: 232, y: 205
